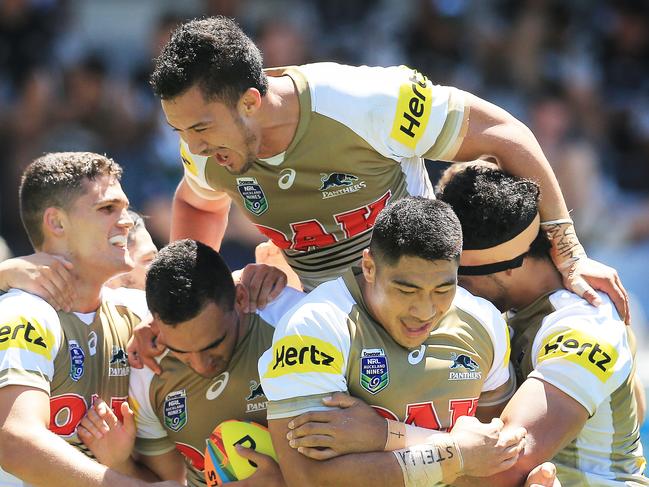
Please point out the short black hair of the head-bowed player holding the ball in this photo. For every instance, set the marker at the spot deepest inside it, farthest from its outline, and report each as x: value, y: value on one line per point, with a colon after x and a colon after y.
x: 185, y: 277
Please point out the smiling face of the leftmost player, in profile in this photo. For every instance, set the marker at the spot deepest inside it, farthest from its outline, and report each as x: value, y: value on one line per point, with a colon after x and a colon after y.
x: 96, y: 227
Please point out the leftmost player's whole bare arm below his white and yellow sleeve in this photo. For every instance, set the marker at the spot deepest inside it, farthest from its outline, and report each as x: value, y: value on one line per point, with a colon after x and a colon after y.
x: 31, y: 452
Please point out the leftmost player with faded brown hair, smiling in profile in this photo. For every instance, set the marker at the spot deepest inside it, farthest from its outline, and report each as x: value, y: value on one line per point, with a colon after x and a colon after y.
x: 53, y: 364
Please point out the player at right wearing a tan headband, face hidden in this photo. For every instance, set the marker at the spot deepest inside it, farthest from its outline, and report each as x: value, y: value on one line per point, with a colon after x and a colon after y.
x: 575, y: 362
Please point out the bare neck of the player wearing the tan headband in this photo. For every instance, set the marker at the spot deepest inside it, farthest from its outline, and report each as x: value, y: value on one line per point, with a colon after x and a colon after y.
x: 534, y: 279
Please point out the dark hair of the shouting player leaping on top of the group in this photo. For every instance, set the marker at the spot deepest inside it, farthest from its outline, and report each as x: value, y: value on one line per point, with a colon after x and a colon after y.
x: 213, y: 53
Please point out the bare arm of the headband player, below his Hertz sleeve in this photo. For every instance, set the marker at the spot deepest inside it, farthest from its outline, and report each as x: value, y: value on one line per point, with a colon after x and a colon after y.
x: 552, y: 420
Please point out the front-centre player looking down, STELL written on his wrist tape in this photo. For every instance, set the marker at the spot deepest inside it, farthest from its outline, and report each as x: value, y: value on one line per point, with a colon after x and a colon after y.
x: 399, y: 334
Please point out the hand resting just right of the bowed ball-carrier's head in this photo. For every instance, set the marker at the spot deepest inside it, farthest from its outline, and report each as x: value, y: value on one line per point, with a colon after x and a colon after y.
x: 264, y: 283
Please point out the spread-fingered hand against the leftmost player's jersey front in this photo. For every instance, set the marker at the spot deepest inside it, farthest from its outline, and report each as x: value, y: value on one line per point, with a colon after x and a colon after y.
x: 108, y: 438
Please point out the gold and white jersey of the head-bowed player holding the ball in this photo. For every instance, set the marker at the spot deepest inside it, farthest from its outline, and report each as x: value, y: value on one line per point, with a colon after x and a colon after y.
x: 179, y: 408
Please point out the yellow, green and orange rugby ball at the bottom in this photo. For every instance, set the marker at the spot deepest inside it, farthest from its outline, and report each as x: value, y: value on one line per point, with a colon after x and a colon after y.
x: 222, y: 462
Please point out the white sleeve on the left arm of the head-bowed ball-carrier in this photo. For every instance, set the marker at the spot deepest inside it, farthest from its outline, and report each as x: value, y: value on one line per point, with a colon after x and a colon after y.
x: 148, y: 424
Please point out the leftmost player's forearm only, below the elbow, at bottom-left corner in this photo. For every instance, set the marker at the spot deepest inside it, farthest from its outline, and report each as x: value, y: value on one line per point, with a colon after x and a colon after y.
x: 34, y: 454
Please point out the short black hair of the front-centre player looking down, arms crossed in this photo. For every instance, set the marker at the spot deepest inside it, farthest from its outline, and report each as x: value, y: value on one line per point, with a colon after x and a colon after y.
x: 416, y: 227
